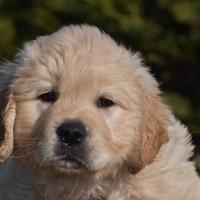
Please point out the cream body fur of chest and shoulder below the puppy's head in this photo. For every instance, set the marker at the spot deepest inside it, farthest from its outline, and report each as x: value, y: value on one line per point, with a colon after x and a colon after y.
x: 170, y: 177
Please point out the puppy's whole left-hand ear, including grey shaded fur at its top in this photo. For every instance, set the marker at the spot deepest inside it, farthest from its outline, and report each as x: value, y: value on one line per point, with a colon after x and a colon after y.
x: 7, y: 107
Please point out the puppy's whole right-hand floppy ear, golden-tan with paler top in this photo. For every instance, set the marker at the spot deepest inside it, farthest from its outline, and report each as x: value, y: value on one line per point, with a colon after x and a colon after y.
x: 152, y: 131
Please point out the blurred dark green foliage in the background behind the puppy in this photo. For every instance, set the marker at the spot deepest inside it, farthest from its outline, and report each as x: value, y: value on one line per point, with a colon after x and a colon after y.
x: 167, y: 33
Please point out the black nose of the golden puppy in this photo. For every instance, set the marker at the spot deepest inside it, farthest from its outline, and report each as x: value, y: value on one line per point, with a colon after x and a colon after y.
x: 71, y: 133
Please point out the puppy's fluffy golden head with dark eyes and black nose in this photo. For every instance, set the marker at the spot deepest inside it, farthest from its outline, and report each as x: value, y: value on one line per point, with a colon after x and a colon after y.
x: 83, y: 103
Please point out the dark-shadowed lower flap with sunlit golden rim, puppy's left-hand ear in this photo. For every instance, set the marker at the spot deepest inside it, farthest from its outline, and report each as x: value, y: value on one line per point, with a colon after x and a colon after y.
x: 7, y: 117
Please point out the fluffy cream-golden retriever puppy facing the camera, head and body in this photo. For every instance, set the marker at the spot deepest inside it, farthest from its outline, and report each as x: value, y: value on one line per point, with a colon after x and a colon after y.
x: 83, y: 120
